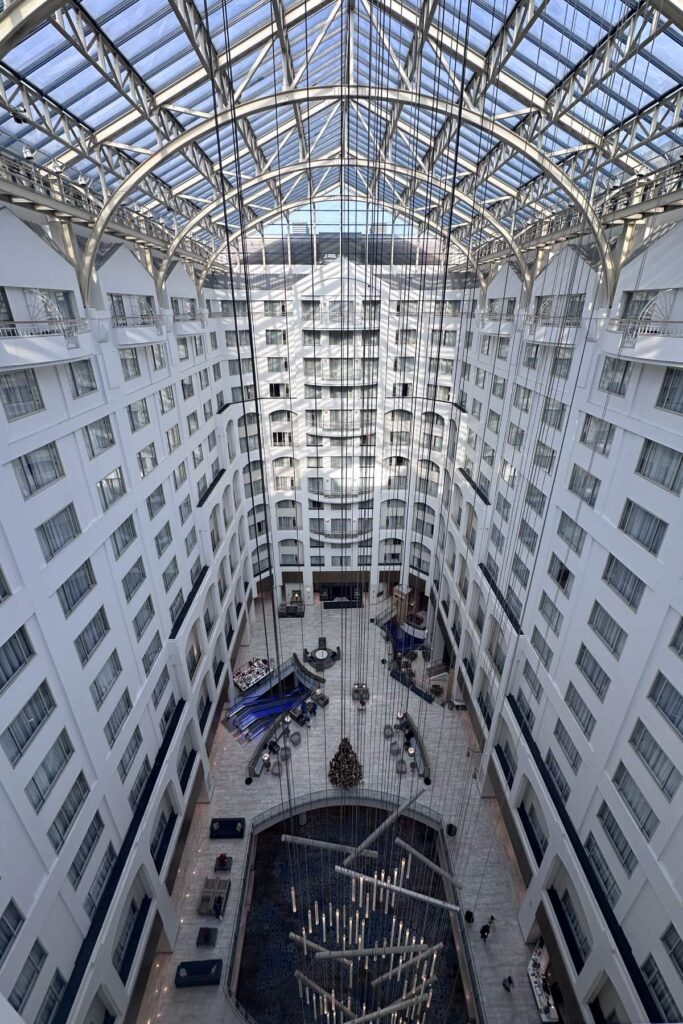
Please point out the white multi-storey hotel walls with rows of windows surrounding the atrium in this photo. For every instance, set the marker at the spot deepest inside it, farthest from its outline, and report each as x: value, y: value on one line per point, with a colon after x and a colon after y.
x: 514, y: 459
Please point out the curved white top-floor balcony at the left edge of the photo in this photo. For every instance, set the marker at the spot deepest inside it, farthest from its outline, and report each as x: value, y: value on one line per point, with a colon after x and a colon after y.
x: 35, y: 343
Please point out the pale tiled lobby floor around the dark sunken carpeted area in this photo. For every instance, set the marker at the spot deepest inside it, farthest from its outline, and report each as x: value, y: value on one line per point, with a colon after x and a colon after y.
x: 484, y: 862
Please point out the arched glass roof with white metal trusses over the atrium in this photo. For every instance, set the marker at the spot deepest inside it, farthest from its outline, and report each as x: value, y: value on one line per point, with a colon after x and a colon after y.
x: 296, y: 102
